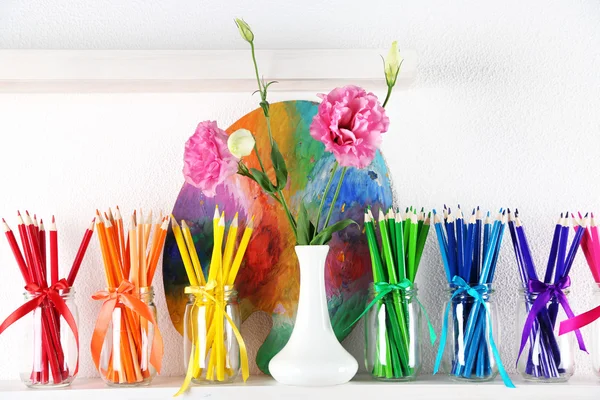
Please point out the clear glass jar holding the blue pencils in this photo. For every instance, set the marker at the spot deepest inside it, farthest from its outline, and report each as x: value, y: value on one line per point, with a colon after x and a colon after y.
x: 468, y: 351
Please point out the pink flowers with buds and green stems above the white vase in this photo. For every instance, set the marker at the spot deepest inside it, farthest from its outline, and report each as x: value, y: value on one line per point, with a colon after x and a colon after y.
x: 350, y: 123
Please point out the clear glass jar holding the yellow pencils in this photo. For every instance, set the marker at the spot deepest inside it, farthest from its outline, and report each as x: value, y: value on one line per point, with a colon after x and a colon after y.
x: 214, y: 361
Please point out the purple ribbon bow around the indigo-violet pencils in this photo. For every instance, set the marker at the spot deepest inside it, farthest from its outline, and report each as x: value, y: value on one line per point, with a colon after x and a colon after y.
x: 546, y: 292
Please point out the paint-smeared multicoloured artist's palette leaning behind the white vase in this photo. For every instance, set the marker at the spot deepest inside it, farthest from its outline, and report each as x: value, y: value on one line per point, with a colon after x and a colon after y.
x: 269, y: 278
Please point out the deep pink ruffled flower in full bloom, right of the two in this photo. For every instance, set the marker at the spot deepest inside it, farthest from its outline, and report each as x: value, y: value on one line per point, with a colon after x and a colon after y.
x: 350, y: 122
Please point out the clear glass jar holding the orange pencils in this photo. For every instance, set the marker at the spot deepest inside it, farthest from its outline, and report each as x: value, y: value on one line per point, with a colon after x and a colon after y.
x: 125, y: 356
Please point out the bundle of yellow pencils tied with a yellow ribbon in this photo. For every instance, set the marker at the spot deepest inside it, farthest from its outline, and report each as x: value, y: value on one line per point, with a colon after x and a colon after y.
x: 209, y: 358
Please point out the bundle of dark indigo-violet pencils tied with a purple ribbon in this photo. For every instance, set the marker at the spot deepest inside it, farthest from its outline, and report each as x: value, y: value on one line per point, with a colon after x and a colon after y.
x: 542, y: 298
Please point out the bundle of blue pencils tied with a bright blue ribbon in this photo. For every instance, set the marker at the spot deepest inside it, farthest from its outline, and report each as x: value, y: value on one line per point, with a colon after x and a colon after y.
x: 470, y: 250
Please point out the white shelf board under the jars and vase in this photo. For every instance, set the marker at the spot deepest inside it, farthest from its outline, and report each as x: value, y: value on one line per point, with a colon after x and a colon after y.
x: 265, y: 388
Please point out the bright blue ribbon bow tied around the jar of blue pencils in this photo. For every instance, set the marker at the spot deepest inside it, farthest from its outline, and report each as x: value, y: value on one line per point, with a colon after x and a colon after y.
x: 477, y: 292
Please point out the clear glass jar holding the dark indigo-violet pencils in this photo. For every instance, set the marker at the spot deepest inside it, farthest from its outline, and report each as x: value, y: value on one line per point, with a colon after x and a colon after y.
x: 547, y: 357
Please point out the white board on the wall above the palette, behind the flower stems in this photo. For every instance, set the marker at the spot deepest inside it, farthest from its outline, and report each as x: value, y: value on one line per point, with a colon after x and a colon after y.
x: 107, y: 71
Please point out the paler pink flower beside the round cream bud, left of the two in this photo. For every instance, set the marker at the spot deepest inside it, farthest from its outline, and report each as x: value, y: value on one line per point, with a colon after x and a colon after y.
x: 207, y: 161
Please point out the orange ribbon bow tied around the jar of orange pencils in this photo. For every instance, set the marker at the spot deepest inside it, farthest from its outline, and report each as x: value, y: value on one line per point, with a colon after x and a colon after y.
x: 111, y: 298
